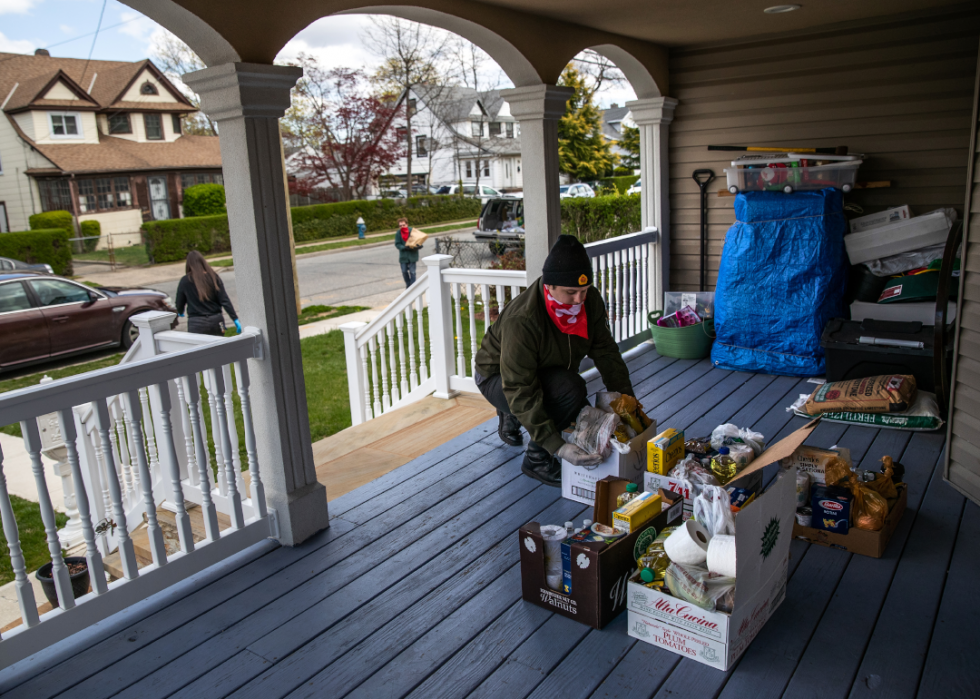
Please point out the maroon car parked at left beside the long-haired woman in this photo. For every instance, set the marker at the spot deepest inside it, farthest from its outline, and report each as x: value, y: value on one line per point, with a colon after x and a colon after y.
x: 46, y: 317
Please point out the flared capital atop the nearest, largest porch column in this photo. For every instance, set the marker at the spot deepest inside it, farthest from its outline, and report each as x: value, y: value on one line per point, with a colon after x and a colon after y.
x: 233, y: 90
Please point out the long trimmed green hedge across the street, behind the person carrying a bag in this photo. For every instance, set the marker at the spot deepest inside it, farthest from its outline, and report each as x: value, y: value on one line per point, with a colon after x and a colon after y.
x: 170, y: 241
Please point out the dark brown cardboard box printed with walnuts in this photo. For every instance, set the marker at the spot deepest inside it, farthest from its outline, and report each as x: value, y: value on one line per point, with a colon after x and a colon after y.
x: 599, y: 570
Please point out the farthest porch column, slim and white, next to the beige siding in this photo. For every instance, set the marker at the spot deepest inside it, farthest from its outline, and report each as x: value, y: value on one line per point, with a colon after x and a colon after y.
x: 653, y: 116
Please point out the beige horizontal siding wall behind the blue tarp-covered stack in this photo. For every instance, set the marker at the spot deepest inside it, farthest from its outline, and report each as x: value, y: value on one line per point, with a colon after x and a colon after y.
x: 899, y: 91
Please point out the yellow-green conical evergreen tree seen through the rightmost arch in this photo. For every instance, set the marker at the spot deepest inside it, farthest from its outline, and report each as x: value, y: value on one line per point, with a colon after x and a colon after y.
x: 583, y: 151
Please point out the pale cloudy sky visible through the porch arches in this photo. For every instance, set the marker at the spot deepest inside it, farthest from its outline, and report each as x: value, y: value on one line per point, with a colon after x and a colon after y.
x: 67, y: 28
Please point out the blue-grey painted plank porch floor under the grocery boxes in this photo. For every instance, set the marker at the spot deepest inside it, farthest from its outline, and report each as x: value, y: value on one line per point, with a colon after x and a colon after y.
x: 415, y: 589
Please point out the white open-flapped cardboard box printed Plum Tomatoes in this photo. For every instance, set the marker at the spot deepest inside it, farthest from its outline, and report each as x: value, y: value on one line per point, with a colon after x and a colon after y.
x: 763, y: 532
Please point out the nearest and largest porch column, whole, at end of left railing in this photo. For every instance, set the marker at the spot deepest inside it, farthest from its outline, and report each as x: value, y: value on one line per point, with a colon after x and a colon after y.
x: 247, y: 100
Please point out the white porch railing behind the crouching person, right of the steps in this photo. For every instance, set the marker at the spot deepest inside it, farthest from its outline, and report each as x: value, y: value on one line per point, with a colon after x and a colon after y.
x: 426, y: 341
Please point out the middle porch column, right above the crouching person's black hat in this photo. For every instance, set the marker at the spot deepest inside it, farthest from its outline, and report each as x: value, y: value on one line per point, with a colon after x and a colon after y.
x: 538, y: 109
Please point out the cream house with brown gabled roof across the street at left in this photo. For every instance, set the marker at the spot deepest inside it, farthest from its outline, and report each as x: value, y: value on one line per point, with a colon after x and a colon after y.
x: 101, y: 139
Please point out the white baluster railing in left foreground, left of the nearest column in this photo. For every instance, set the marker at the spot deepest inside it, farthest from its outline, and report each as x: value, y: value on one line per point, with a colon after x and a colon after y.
x: 134, y: 438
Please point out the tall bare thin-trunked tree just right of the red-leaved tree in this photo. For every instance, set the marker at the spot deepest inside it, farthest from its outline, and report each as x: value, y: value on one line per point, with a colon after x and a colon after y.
x: 411, y: 54
